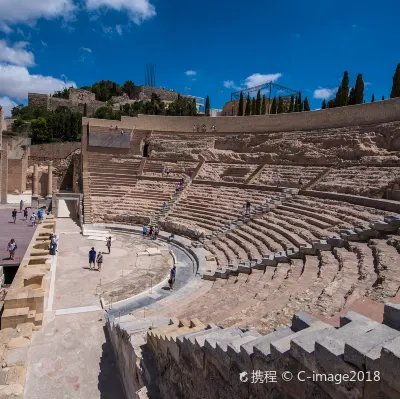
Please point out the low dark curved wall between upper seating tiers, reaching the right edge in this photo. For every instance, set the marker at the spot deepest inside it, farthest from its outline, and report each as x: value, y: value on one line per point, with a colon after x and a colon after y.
x: 386, y: 205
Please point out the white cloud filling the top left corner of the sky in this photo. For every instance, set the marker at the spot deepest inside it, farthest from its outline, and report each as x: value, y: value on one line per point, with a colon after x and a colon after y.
x: 24, y: 11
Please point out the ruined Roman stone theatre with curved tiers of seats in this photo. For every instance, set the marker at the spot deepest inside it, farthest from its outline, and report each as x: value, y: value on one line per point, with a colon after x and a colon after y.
x: 296, y: 297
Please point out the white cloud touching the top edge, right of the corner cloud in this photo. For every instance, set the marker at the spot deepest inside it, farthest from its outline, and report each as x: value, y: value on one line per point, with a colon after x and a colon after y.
x: 138, y: 10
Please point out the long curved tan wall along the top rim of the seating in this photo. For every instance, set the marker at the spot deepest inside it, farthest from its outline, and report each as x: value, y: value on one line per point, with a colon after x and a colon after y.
x: 363, y: 114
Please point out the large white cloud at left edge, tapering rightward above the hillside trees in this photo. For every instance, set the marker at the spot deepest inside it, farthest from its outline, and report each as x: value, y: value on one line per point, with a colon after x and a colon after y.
x: 16, y: 81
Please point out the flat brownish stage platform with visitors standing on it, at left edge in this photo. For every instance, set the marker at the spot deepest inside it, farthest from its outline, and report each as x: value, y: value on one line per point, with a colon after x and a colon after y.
x: 21, y: 231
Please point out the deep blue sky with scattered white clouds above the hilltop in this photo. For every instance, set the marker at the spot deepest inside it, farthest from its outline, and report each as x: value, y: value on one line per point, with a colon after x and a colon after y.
x: 205, y: 46
